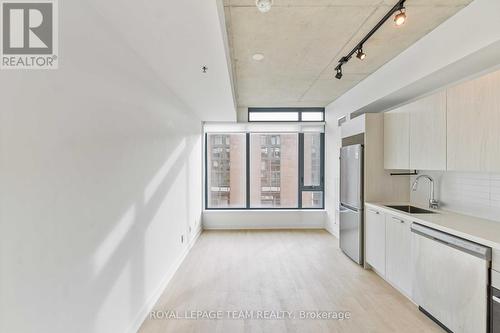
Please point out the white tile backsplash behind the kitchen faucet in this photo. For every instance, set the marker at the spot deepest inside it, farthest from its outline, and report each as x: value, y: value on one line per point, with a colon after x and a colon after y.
x: 476, y: 194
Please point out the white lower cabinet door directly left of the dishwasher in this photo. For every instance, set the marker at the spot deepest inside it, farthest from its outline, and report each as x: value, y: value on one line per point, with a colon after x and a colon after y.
x: 398, y: 253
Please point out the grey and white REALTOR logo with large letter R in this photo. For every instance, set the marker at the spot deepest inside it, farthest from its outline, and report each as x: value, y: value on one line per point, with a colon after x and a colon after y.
x: 29, y: 34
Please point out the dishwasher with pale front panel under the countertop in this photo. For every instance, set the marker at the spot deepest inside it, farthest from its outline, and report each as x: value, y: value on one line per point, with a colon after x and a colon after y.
x: 450, y: 279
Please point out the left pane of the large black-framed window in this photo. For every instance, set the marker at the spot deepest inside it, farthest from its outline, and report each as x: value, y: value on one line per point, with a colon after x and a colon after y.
x: 227, y: 168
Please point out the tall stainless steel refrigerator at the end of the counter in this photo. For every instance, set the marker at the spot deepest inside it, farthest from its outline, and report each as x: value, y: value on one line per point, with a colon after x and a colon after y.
x: 351, y: 202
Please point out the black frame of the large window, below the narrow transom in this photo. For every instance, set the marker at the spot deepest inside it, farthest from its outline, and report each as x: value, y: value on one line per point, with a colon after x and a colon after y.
x: 300, y: 187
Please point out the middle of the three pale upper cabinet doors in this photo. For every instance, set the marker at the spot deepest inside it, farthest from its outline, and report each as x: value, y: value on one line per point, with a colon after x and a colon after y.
x: 428, y: 133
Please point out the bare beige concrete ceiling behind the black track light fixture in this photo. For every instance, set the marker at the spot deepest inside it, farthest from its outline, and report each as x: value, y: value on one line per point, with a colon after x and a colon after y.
x: 302, y: 41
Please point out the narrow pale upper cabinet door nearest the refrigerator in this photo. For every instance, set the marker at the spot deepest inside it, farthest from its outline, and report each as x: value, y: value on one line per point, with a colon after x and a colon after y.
x: 397, y: 139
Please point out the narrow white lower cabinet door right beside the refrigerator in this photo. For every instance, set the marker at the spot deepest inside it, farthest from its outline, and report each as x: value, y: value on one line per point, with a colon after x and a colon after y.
x: 375, y: 240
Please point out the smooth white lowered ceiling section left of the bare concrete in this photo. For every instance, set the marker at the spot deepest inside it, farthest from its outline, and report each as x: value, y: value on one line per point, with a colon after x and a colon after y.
x: 175, y: 39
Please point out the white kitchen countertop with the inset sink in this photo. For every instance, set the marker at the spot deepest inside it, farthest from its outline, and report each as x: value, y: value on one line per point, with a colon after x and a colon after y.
x: 482, y: 231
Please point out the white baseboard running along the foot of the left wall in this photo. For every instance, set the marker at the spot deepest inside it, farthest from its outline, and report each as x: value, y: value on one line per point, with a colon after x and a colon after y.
x: 148, y: 306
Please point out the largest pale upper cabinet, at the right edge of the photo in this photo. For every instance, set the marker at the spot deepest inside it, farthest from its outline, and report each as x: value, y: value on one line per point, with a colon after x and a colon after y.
x: 474, y: 125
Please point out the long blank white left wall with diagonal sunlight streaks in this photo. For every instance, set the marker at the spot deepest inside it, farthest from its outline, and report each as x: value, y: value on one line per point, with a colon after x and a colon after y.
x: 100, y: 176
